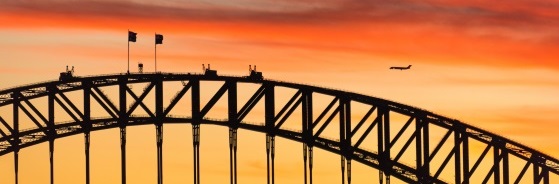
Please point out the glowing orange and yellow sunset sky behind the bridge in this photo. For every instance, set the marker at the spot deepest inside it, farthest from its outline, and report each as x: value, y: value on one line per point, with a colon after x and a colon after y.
x: 494, y: 65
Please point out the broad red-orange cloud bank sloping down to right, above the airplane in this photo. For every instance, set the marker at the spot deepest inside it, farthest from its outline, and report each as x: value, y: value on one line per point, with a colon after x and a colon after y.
x: 517, y: 34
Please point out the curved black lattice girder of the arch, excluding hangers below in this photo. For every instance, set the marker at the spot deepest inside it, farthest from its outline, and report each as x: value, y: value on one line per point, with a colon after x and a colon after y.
x: 14, y: 139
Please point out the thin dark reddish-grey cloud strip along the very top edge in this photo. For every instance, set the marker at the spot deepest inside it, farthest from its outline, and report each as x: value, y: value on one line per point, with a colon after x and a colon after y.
x: 401, y: 11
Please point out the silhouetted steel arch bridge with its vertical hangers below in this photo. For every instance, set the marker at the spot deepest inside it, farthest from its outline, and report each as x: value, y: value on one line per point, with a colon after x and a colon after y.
x: 337, y: 113
